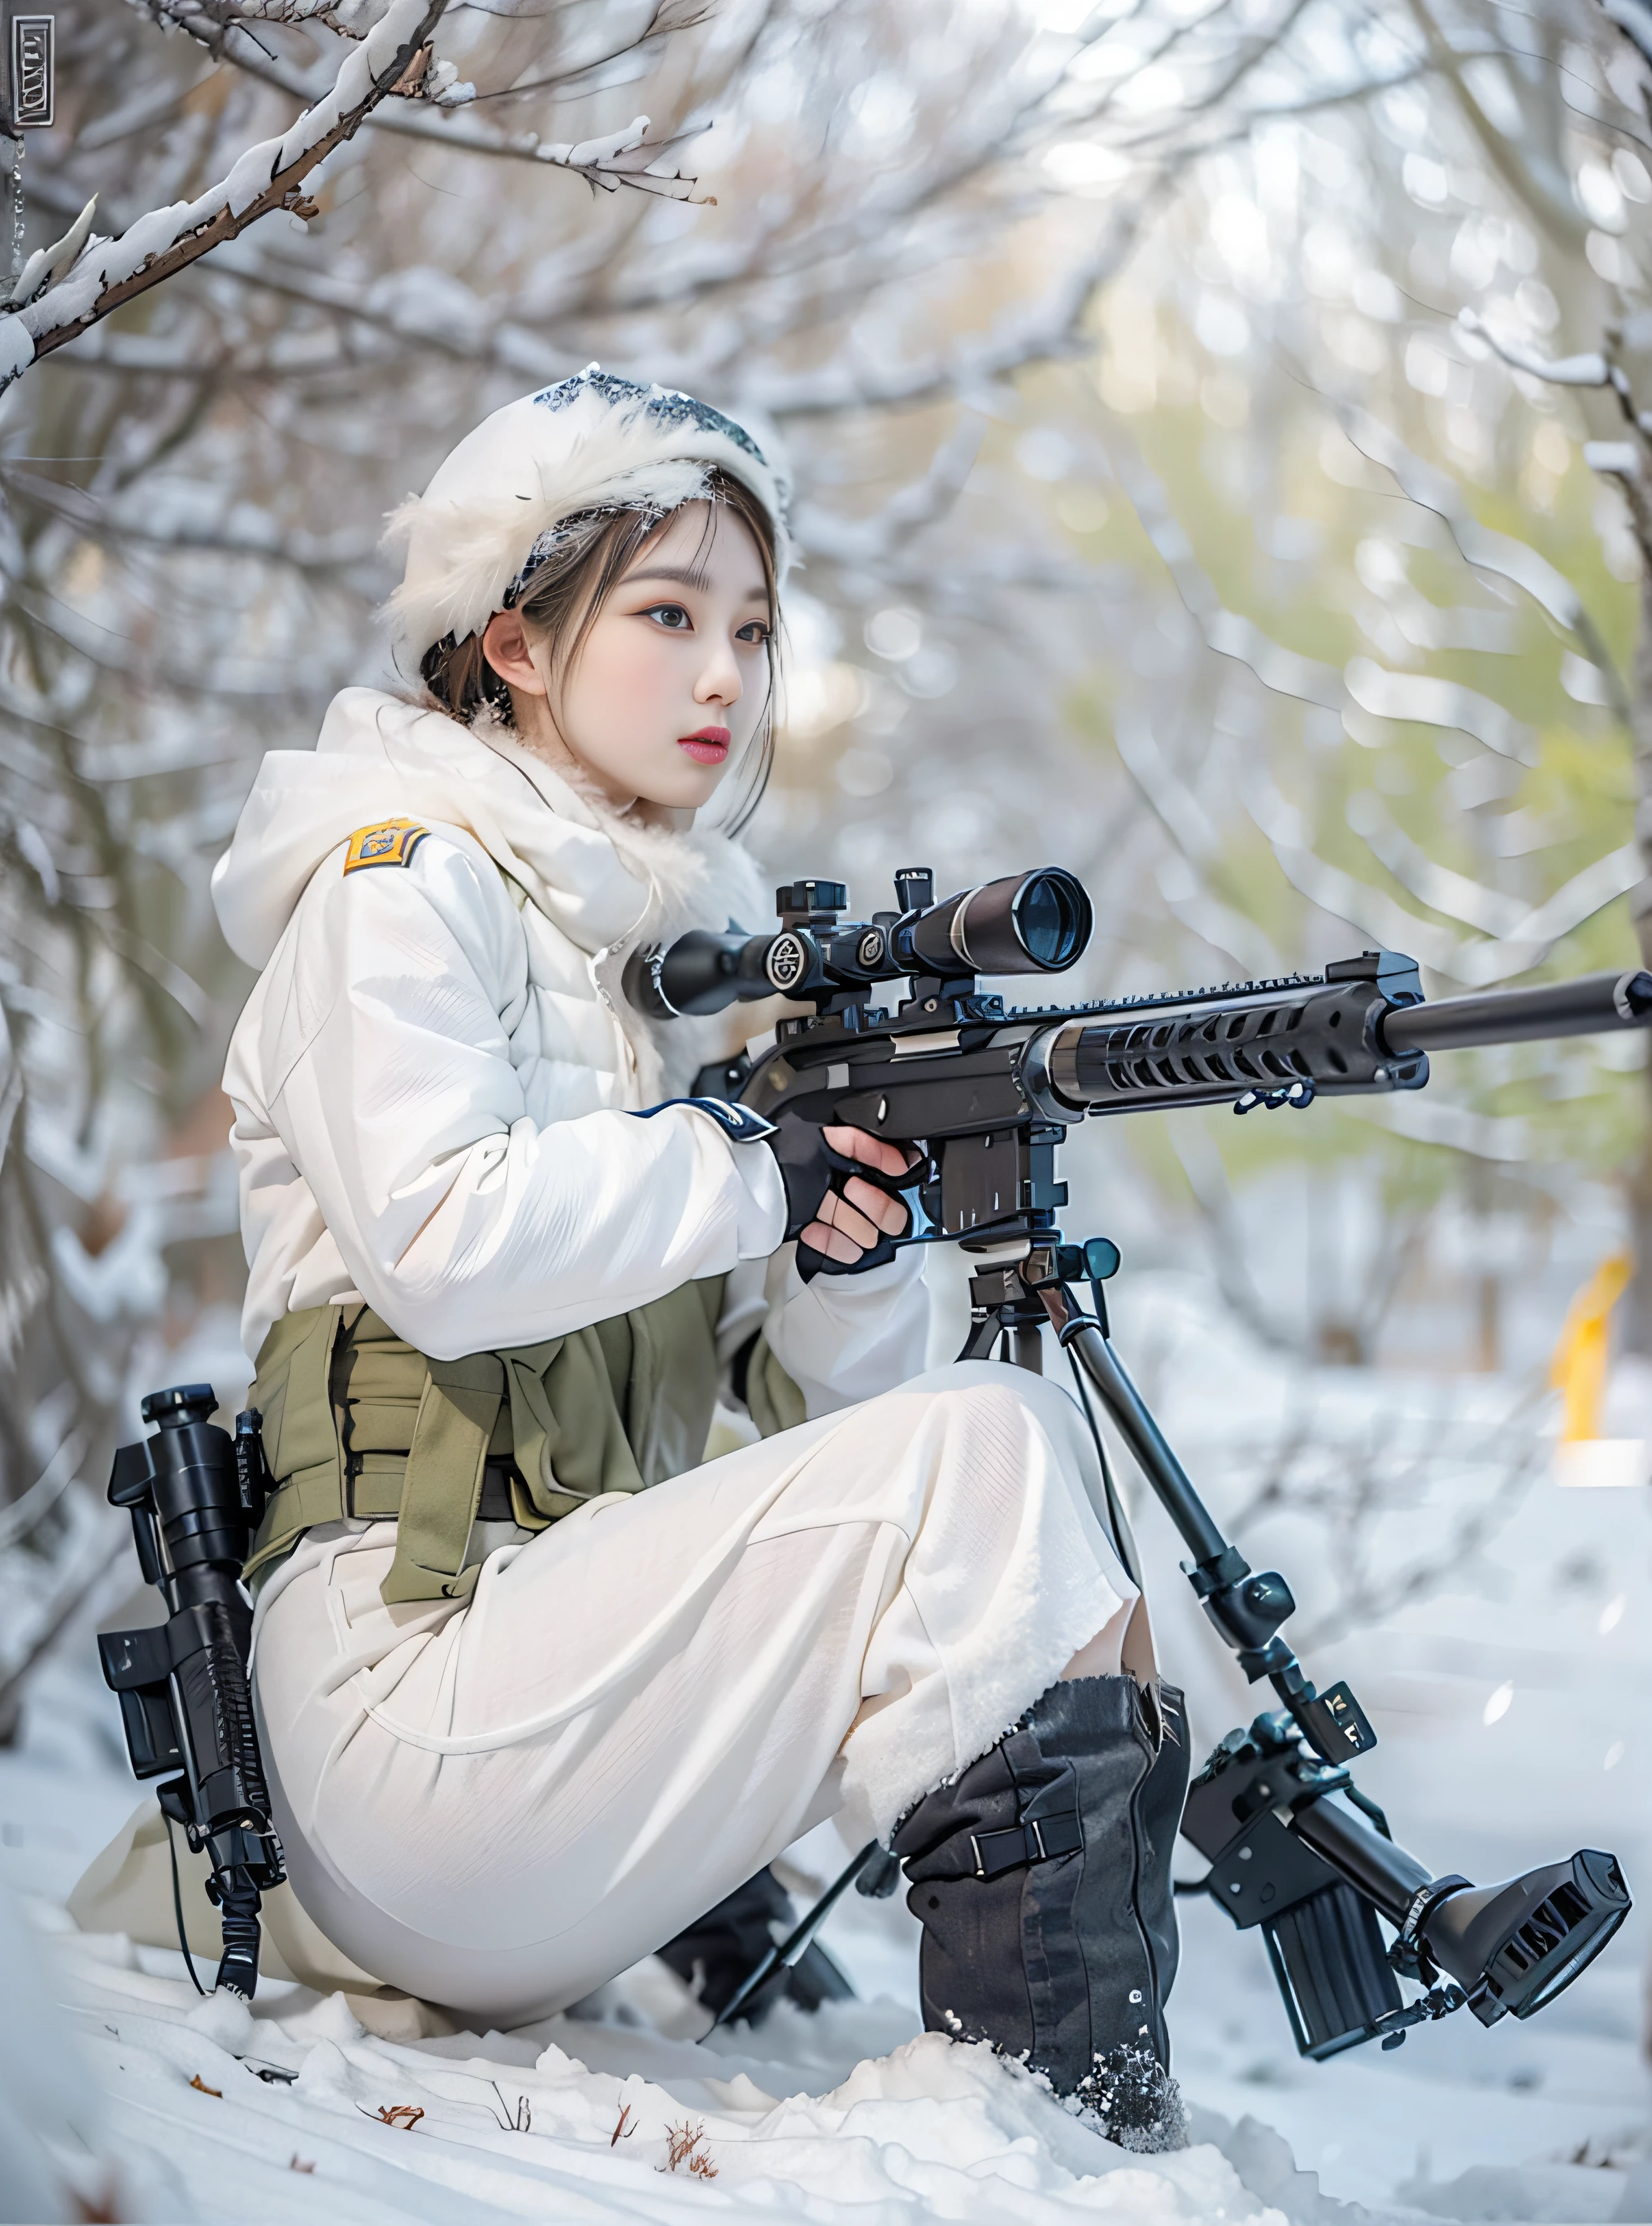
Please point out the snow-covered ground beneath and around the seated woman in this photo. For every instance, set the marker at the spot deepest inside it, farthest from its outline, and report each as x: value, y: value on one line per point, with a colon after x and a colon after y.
x: 1513, y: 1708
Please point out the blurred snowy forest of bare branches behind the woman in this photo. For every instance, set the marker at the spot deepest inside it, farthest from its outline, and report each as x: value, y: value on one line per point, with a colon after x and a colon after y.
x: 1219, y: 469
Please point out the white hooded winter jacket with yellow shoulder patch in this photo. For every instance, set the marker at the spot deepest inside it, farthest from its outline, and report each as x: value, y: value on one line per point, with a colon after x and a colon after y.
x: 435, y: 1078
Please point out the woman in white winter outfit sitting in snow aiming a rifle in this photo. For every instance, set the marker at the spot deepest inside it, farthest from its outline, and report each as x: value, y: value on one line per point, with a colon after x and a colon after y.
x: 538, y: 1688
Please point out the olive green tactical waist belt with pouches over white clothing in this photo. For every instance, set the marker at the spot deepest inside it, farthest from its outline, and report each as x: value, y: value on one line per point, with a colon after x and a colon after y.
x: 360, y: 1424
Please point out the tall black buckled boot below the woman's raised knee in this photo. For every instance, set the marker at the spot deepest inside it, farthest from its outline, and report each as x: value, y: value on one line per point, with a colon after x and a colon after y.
x: 1043, y: 1884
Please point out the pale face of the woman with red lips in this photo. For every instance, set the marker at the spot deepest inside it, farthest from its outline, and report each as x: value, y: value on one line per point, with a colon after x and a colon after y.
x: 673, y: 676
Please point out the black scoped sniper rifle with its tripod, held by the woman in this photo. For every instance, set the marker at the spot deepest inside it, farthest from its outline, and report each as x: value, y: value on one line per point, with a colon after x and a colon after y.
x: 985, y: 1096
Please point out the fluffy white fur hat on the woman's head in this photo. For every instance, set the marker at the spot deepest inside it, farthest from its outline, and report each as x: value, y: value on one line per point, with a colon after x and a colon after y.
x: 596, y: 442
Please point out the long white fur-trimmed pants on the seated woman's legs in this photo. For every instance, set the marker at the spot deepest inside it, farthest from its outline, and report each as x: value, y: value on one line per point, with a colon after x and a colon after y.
x: 502, y: 1804
